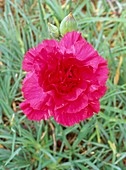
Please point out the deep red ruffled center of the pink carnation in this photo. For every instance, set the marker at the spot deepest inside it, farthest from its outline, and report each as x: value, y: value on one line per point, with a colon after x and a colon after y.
x: 63, y: 79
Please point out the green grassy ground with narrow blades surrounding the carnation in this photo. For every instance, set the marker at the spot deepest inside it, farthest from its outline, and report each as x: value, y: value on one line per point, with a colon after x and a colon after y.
x: 95, y: 144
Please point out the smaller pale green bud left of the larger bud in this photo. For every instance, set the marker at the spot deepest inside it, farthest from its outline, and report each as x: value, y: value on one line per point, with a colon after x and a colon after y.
x: 53, y: 30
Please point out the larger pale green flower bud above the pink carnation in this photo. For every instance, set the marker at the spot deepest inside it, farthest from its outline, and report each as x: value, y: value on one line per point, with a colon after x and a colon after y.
x: 68, y: 24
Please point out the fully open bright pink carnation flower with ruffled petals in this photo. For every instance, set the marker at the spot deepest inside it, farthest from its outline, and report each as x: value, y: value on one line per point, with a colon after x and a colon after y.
x: 65, y: 80
